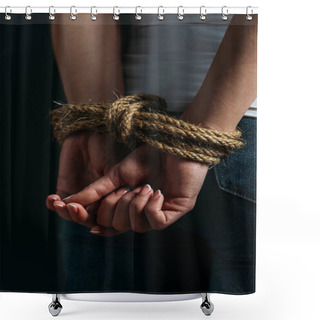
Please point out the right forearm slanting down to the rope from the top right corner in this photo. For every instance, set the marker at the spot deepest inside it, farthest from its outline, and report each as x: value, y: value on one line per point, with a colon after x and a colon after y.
x: 230, y: 85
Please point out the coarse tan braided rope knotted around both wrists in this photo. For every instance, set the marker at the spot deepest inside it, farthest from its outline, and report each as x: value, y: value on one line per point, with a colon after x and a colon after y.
x: 140, y: 119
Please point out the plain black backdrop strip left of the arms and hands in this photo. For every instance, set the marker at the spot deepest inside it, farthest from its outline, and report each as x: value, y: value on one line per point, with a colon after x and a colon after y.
x: 29, y: 81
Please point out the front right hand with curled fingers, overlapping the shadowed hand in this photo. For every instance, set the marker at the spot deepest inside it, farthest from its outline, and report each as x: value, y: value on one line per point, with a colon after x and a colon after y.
x: 142, y: 209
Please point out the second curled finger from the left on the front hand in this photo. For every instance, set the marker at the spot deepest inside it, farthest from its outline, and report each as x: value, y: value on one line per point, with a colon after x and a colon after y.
x: 121, y: 220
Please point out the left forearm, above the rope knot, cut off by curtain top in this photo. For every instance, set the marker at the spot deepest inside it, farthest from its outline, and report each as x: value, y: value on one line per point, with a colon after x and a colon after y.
x: 88, y: 55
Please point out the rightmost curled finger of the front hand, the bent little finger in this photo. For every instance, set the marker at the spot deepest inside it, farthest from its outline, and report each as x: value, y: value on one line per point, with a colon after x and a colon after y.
x: 160, y: 219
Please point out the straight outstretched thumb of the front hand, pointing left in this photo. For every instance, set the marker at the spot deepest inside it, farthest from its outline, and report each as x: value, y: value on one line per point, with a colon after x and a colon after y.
x: 96, y: 190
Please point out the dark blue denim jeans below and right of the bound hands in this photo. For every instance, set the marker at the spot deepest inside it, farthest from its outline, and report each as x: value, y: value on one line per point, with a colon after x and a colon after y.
x: 210, y: 249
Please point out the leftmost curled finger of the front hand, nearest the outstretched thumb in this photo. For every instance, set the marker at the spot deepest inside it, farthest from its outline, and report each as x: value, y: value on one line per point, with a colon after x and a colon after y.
x: 108, y: 206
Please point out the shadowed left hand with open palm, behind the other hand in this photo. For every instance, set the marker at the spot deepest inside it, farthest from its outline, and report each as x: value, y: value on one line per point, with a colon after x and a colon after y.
x: 84, y: 158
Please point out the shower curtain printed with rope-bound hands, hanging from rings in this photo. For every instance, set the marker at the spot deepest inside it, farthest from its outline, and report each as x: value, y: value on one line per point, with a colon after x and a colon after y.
x: 90, y: 213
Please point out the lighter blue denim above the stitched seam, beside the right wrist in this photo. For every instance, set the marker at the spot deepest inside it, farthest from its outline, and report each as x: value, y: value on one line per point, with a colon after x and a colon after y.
x: 237, y: 173
